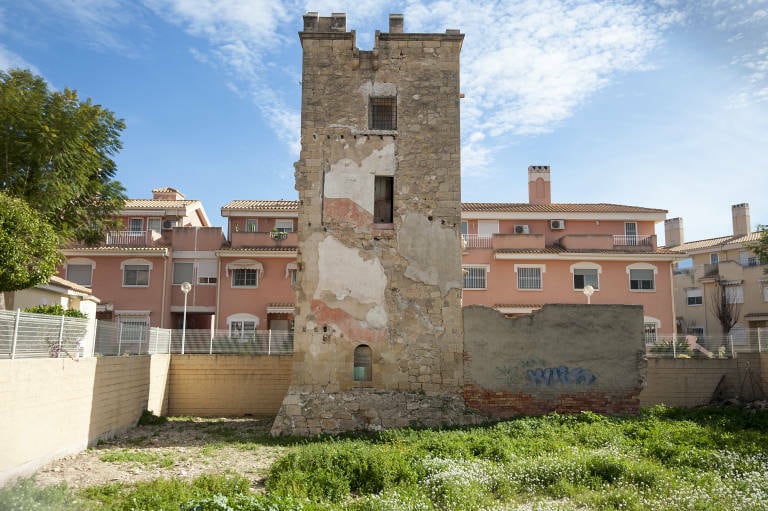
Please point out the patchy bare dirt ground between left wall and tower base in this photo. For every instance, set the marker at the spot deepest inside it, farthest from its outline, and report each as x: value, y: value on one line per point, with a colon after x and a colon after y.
x: 182, y: 447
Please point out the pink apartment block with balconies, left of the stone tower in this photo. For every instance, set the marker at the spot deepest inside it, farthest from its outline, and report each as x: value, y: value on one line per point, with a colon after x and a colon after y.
x: 239, y: 285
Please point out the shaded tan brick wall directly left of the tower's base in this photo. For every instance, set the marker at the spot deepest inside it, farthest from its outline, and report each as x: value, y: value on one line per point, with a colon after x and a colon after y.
x: 221, y: 385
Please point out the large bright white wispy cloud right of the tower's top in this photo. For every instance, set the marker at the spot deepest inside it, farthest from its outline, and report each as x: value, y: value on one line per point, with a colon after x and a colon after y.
x: 530, y: 64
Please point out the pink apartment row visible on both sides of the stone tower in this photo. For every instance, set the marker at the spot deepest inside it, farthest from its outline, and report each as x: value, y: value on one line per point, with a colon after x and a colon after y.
x: 516, y: 258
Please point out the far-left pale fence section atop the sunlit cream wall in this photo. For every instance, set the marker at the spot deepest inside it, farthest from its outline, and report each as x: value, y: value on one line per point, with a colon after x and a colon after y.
x: 28, y: 335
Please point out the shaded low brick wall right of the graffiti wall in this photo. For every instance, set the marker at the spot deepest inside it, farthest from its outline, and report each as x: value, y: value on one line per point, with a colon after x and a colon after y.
x: 693, y: 382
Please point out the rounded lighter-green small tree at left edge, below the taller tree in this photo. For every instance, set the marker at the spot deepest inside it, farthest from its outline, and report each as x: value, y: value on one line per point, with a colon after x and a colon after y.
x: 29, y: 247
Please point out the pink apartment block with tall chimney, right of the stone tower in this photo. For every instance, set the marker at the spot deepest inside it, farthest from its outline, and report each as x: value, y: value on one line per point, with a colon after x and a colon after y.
x: 519, y: 256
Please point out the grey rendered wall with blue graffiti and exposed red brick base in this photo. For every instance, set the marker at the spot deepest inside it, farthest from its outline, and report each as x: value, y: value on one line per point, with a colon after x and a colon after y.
x: 563, y: 358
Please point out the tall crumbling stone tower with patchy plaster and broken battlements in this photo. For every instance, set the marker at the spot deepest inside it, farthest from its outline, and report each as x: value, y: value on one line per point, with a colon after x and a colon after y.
x: 378, y: 331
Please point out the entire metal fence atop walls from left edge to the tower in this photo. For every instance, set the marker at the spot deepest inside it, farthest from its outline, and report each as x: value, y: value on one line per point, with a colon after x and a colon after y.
x: 27, y: 335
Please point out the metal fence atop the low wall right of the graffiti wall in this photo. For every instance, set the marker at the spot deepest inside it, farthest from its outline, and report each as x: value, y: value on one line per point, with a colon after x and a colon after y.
x: 710, y: 346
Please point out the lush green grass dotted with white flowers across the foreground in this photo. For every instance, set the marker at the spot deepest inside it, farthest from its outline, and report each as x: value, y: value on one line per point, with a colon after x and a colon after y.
x: 705, y: 459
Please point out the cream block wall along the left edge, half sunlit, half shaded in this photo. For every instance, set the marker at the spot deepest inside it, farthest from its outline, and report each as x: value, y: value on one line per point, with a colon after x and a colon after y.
x: 50, y: 408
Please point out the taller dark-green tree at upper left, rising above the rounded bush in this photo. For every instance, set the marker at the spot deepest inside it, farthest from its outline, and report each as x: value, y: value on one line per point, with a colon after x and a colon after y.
x: 56, y: 153
